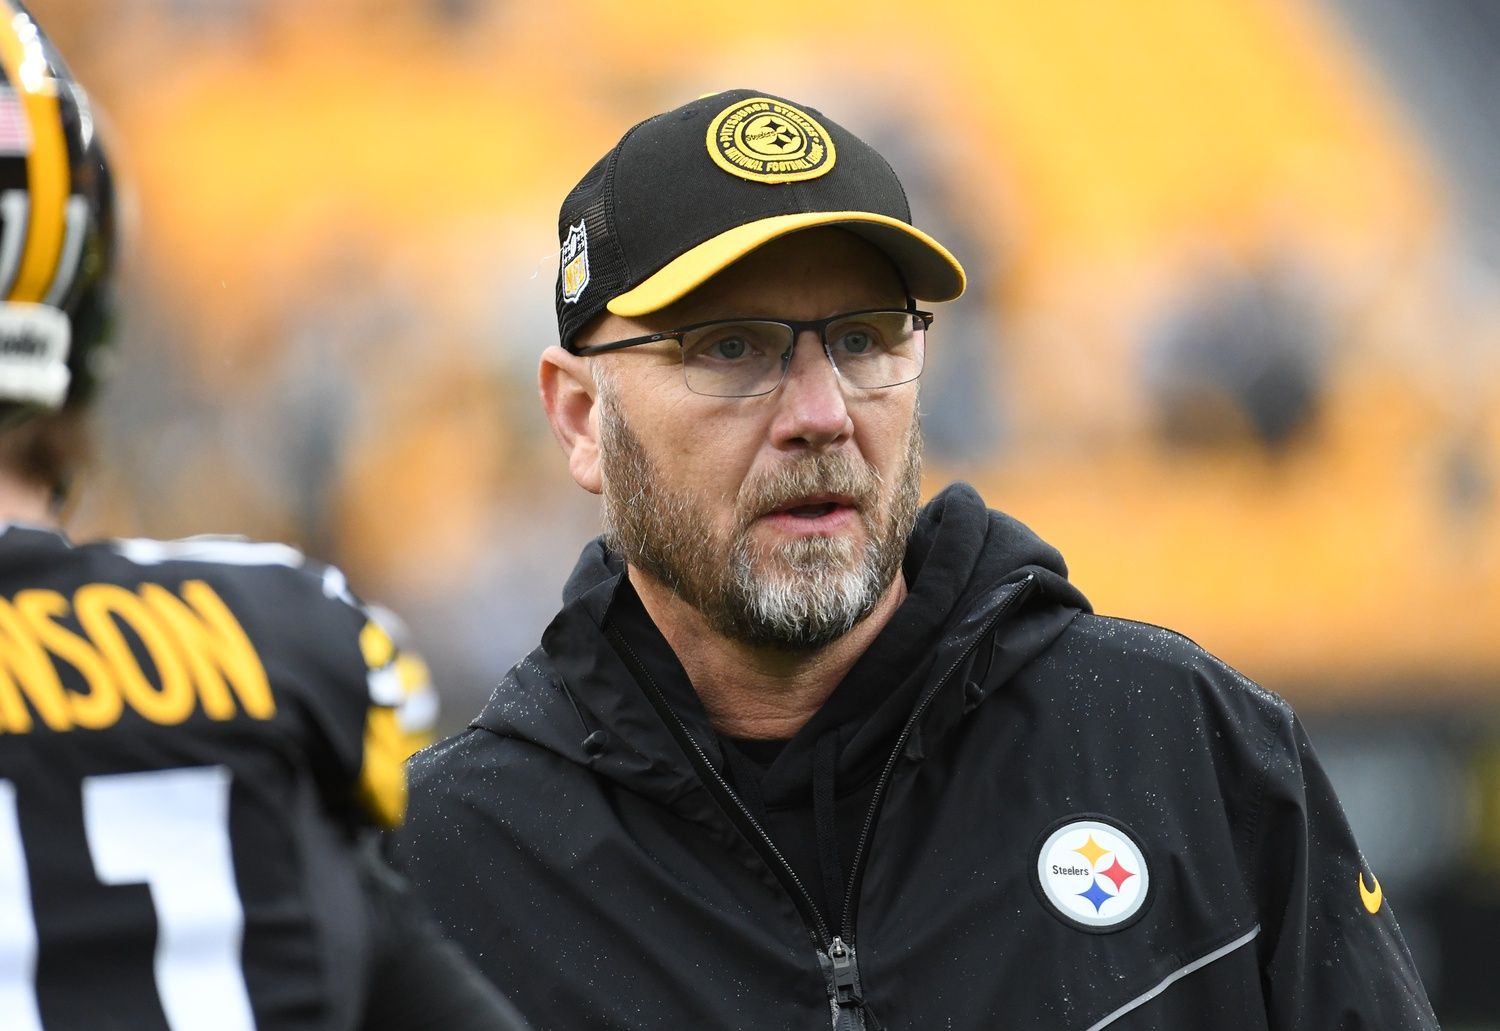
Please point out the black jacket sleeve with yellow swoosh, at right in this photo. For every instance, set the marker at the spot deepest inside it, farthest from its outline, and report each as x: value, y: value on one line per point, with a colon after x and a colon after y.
x: 1331, y: 952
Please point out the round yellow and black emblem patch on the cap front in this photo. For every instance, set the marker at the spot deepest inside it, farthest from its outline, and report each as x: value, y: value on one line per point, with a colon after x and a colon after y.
x: 770, y: 142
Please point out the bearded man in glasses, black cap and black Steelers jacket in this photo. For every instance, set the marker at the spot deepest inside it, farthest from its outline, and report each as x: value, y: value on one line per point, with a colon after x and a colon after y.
x: 799, y: 753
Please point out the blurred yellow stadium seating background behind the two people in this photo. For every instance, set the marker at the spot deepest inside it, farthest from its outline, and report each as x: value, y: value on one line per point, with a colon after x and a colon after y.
x: 1234, y: 340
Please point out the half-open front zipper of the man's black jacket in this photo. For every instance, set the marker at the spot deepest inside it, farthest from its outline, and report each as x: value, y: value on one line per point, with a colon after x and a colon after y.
x: 836, y: 954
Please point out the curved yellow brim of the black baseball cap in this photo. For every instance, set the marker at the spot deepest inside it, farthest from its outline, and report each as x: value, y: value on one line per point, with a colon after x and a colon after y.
x: 929, y: 271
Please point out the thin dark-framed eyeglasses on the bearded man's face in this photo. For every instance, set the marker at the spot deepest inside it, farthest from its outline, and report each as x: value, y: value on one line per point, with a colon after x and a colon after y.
x: 746, y: 358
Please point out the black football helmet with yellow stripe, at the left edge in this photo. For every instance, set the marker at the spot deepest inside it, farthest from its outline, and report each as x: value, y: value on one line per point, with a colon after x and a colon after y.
x: 58, y: 224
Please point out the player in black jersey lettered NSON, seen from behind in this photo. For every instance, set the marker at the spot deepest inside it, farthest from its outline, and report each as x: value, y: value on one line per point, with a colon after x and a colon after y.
x: 197, y: 739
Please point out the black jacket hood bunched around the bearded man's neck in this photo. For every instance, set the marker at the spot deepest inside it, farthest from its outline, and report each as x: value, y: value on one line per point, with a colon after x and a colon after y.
x: 578, y: 697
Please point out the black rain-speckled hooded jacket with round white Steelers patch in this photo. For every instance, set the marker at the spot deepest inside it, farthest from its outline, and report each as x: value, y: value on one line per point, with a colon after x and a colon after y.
x: 1037, y: 817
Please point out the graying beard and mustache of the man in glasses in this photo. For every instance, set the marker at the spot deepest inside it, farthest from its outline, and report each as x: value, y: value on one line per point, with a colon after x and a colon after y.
x: 799, y: 595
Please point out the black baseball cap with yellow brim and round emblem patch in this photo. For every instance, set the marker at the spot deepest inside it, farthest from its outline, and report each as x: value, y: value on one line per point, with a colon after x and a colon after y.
x: 686, y: 194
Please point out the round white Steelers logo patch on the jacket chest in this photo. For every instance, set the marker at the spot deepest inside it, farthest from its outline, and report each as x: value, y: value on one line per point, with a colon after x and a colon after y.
x: 1093, y: 874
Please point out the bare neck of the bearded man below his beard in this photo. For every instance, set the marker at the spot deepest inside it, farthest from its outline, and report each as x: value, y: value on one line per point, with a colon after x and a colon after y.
x: 758, y: 693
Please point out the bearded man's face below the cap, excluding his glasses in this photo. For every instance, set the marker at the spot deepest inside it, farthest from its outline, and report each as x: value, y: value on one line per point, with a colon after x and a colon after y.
x: 782, y: 519
